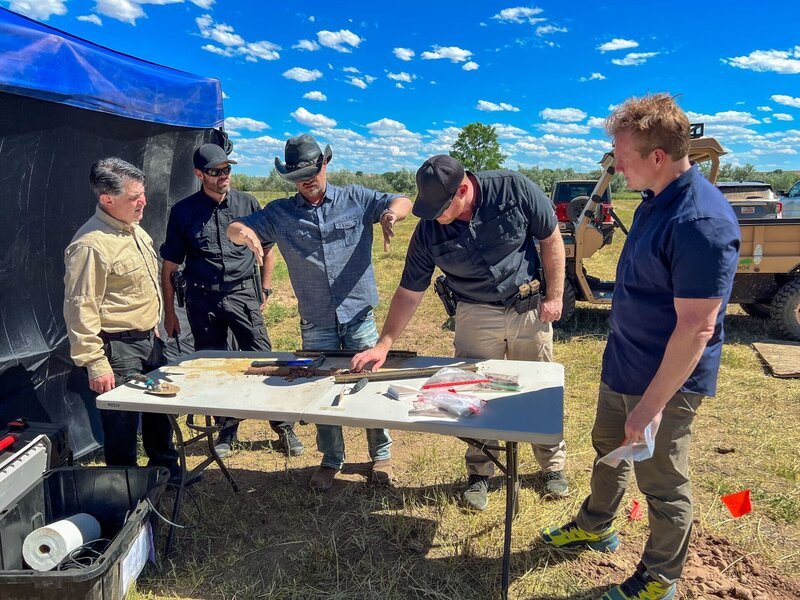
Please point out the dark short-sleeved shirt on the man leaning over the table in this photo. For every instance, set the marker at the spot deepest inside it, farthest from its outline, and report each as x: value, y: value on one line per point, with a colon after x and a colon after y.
x: 488, y: 258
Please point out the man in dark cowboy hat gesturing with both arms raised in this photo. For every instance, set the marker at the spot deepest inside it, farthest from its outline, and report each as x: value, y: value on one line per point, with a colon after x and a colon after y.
x: 324, y: 233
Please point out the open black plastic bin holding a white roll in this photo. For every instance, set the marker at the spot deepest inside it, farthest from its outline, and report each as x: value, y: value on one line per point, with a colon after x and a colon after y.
x: 110, y: 494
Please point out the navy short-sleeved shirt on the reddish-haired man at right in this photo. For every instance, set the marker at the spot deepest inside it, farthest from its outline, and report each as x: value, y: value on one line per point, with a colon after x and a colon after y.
x: 684, y: 243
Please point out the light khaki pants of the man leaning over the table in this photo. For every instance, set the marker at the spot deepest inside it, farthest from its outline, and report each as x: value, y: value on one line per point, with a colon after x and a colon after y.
x: 486, y: 331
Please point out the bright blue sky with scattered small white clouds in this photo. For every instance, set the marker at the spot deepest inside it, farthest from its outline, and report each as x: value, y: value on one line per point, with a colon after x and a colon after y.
x: 389, y: 84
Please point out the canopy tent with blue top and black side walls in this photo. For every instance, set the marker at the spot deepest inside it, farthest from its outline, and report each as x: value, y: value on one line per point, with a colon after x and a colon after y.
x: 64, y: 103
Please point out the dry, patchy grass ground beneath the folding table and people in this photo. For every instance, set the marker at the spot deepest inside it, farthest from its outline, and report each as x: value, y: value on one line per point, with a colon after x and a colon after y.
x: 275, y: 539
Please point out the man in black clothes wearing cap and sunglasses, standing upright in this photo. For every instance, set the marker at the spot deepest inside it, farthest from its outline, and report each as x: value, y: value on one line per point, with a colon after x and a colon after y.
x: 222, y: 294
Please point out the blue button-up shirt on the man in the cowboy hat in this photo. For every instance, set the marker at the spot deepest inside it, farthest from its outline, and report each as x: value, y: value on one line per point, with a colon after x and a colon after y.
x: 327, y: 248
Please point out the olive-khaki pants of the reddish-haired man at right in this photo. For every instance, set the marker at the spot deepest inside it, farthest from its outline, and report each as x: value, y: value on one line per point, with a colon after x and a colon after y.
x: 663, y: 479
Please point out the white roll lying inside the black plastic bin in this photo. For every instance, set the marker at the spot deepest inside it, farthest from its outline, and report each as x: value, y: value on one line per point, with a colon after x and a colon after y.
x: 47, y: 546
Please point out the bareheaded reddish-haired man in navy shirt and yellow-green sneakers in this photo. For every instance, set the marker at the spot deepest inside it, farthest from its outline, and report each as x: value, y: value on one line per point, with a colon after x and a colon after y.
x: 674, y: 279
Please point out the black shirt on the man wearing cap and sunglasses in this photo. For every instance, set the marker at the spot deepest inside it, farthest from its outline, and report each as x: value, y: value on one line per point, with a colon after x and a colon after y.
x: 196, y: 234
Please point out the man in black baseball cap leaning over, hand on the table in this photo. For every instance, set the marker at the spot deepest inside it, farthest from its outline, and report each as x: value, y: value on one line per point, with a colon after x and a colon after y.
x: 481, y: 229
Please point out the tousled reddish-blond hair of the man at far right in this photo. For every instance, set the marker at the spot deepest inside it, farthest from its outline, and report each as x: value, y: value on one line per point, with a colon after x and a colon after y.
x: 655, y: 121
